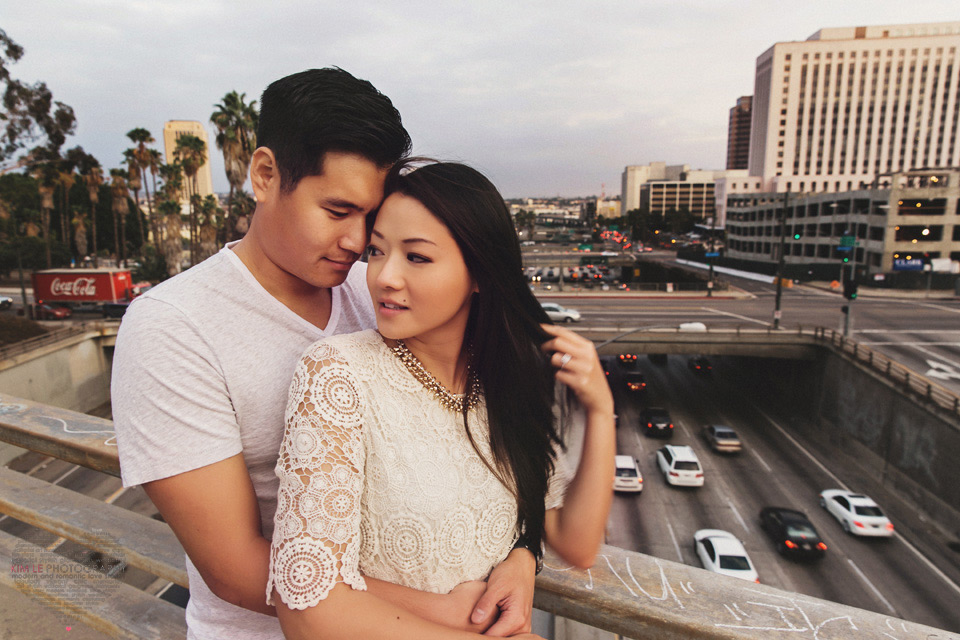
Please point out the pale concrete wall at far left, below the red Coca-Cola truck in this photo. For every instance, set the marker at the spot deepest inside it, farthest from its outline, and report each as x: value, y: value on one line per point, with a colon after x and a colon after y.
x: 73, y: 374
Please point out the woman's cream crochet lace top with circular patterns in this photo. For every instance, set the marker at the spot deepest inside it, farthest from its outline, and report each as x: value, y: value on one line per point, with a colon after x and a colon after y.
x: 378, y: 479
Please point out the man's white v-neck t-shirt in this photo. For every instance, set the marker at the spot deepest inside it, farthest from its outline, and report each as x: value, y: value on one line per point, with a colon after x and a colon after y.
x: 201, y: 372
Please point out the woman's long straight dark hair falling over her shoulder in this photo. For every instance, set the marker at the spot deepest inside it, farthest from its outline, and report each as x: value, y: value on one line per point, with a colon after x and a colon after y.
x: 503, y: 332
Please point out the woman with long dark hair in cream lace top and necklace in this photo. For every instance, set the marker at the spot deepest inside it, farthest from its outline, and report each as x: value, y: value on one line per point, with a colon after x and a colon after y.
x: 421, y: 452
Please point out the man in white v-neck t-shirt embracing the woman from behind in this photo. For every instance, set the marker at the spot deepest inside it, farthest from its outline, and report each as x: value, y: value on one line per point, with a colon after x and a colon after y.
x: 203, y: 362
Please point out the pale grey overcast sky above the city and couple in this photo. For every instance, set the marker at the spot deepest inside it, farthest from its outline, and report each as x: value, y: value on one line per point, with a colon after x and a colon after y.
x: 547, y: 98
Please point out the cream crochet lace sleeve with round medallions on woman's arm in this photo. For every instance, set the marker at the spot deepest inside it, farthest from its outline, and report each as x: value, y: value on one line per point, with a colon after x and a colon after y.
x: 316, y: 539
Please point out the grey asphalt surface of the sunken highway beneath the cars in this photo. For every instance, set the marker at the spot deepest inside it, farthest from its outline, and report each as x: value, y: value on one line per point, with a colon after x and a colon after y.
x: 879, y: 575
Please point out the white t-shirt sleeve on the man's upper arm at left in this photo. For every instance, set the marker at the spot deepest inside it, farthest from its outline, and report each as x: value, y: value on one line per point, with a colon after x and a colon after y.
x: 171, y: 407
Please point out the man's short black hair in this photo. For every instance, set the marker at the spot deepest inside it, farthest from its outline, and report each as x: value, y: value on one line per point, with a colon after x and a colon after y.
x: 304, y: 115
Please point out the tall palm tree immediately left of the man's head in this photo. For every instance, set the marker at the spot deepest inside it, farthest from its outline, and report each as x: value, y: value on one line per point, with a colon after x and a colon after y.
x: 236, y: 124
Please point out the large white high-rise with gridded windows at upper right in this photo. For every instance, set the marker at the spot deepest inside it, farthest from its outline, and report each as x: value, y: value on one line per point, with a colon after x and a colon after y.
x: 852, y: 104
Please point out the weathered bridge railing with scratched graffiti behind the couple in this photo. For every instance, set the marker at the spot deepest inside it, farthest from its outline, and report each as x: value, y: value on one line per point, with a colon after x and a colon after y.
x: 626, y: 593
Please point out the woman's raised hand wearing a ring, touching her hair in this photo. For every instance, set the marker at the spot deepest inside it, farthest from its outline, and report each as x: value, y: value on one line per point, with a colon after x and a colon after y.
x: 578, y: 366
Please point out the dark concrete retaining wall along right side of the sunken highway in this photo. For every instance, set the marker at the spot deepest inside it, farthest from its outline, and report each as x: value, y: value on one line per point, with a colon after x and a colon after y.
x: 875, y: 438
